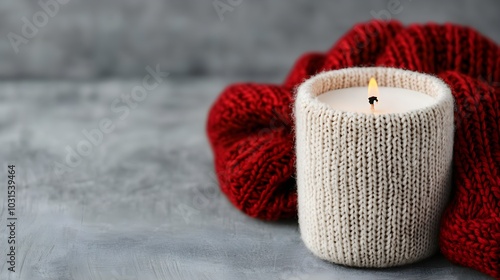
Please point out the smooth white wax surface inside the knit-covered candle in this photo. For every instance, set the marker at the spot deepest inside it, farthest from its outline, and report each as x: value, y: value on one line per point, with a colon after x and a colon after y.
x: 390, y: 100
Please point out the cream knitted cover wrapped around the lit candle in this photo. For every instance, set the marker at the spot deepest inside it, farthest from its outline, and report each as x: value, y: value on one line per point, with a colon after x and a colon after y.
x: 372, y: 188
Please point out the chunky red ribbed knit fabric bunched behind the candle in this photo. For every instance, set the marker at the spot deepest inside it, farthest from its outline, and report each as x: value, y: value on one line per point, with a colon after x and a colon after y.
x: 251, y: 131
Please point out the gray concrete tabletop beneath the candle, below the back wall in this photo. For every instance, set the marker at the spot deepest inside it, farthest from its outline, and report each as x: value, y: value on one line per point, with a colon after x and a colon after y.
x: 144, y: 203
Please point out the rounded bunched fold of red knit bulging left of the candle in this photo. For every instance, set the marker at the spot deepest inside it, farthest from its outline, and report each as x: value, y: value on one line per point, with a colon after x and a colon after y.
x: 250, y: 129
